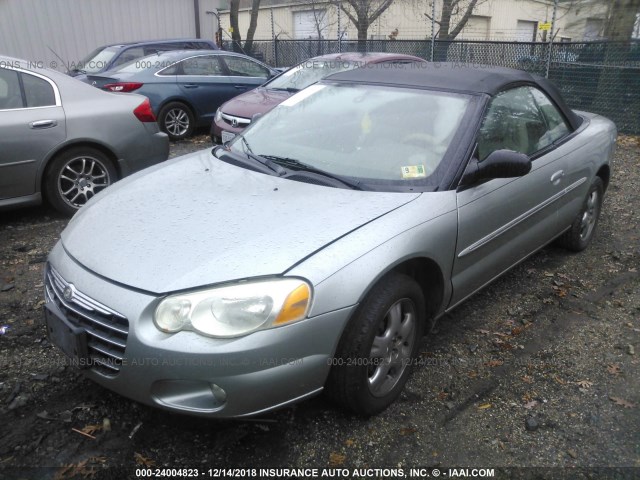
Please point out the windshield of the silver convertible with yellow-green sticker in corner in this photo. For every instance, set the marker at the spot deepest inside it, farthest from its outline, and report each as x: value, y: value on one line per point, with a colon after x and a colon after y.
x: 380, y: 137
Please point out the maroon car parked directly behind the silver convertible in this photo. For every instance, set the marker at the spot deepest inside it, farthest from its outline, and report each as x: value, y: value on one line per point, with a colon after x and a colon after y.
x: 236, y: 114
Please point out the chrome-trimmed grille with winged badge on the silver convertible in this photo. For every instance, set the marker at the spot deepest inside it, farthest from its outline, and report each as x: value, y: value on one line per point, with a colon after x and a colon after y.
x: 107, y: 330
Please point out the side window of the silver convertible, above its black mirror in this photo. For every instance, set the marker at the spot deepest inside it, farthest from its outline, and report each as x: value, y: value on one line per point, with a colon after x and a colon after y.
x: 513, y: 121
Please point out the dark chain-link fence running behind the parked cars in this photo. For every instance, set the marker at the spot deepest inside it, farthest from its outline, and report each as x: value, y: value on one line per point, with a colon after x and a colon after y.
x: 601, y: 77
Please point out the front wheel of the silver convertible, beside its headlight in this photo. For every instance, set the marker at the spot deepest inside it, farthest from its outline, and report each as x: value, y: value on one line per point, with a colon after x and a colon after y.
x: 375, y: 353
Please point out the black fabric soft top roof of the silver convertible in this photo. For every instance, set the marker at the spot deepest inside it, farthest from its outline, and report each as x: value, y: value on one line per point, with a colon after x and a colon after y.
x: 454, y: 77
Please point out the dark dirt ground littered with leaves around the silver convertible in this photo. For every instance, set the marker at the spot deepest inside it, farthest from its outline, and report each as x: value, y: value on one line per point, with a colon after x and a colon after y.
x: 538, y: 370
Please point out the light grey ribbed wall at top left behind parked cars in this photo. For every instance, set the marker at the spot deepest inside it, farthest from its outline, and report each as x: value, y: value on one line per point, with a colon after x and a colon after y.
x: 34, y: 29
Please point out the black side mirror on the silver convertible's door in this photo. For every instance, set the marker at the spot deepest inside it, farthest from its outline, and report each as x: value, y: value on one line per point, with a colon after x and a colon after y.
x: 499, y: 164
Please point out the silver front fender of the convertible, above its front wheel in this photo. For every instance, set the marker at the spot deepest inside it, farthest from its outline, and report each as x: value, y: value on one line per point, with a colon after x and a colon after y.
x: 346, y: 270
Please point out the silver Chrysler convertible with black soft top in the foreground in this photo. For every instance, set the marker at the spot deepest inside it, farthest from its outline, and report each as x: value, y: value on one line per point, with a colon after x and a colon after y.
x: 313, y: 251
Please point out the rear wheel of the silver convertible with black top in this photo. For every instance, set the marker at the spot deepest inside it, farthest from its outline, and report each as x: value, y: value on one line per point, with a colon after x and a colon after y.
x: 581, y: 232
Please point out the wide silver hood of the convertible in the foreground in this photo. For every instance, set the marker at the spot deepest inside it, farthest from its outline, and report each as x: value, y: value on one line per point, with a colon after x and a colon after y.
x: 197, y: 221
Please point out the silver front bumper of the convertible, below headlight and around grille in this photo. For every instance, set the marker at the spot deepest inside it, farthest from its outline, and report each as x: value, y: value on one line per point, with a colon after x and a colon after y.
x: 189, y: 373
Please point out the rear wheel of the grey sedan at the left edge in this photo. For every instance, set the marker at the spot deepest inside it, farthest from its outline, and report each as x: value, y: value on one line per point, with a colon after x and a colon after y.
x: 75, y: 176
